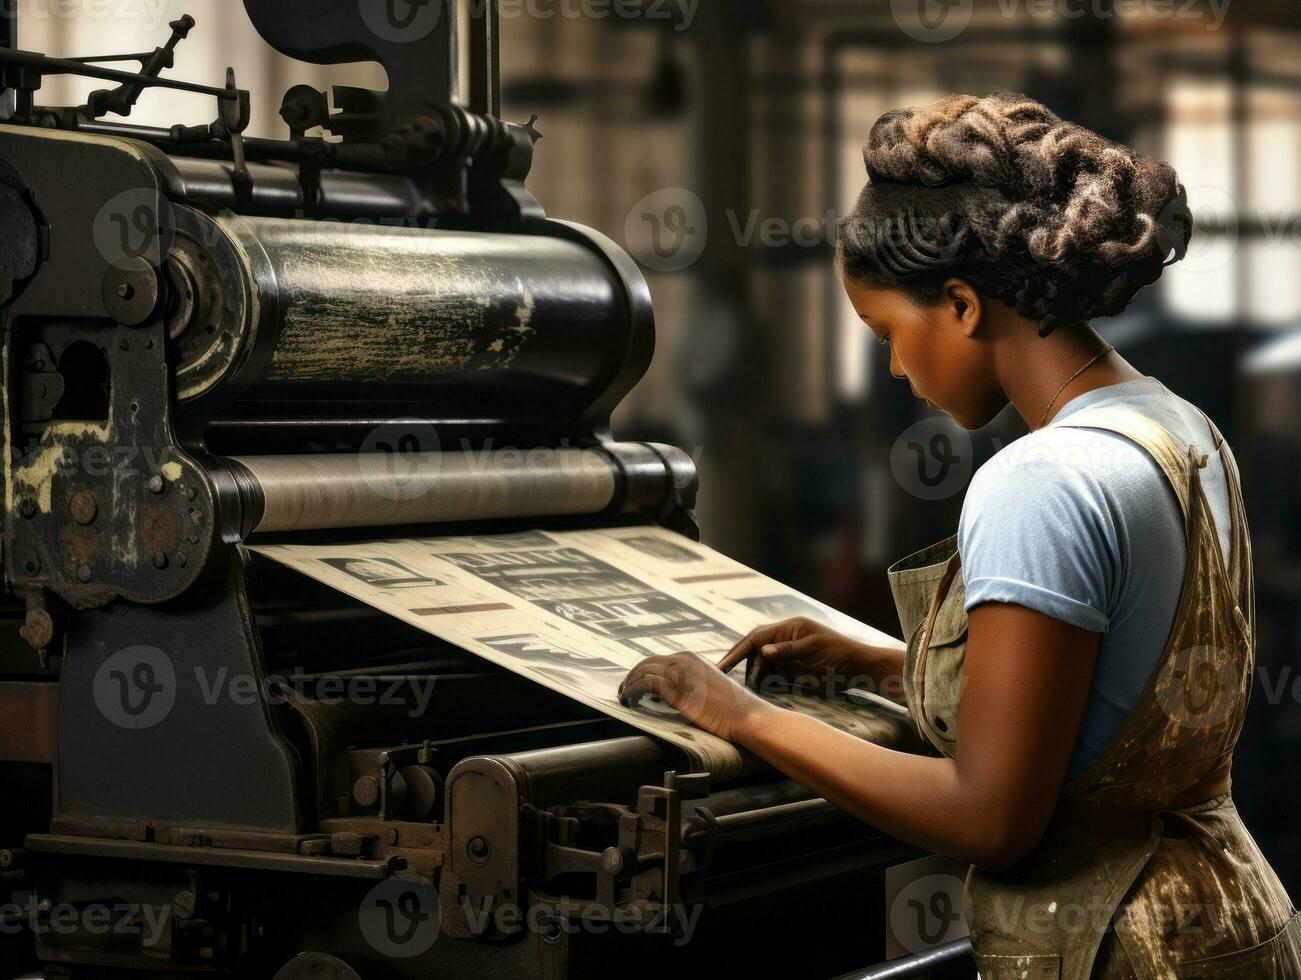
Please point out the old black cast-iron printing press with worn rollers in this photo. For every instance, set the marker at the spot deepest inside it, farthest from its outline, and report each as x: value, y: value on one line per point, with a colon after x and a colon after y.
x: 211, y: 339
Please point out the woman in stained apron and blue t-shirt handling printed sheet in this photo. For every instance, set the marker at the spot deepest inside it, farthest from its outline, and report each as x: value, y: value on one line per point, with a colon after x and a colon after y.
x: 1088, y: 632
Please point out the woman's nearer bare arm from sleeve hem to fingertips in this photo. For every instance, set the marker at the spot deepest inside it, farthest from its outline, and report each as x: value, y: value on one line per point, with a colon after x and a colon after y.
x: 1027, y: 683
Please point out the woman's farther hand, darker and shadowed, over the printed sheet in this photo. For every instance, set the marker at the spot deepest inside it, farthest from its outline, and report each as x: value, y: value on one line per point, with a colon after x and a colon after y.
x: 809, y: 653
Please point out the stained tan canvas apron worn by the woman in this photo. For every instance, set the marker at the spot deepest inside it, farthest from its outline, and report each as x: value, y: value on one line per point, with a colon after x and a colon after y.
x: 1122, y: 884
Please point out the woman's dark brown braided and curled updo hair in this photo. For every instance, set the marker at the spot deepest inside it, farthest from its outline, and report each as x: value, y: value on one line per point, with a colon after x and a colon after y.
x: 1048, y: 217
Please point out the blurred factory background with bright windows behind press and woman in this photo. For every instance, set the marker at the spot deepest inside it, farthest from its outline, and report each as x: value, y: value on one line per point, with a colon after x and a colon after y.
x: 719, y: 140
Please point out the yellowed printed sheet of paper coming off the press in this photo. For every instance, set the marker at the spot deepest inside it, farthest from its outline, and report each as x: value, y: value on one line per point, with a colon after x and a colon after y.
x: 576, y: 611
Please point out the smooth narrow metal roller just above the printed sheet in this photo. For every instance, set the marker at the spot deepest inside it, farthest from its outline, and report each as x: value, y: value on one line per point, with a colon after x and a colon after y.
x: 371, y: 490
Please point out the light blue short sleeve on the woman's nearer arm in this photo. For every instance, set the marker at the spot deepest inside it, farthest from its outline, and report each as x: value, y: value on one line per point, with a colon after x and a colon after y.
x: 1038, y: 532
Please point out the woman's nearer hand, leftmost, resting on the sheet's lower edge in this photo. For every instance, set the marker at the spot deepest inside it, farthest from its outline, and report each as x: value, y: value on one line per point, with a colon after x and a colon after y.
x: 708, y: 698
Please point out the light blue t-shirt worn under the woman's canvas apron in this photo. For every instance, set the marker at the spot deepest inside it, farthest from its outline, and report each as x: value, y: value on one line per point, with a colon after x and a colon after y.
x: 1083, y: 526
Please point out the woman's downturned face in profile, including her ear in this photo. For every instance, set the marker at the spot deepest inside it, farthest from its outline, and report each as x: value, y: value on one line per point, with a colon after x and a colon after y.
x: 939, y: 348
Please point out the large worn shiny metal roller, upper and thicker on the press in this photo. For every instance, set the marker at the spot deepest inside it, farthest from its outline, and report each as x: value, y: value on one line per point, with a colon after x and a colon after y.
x: 330, y: 312
